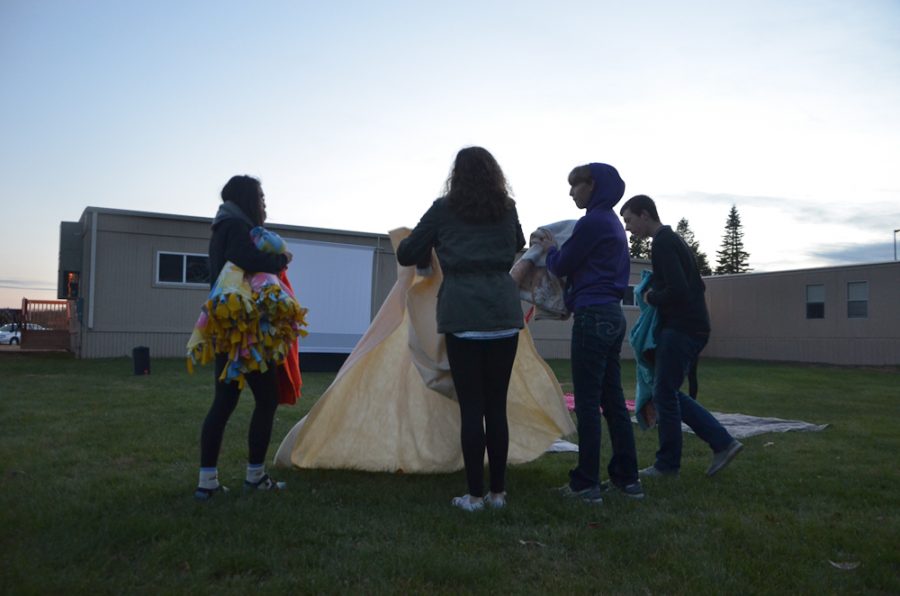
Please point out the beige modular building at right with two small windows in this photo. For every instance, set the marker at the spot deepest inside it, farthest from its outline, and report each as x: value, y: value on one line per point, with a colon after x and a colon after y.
x: 848, y: 314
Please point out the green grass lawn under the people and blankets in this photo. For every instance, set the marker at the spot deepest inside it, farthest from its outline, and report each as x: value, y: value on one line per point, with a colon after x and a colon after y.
x: 98, y: 469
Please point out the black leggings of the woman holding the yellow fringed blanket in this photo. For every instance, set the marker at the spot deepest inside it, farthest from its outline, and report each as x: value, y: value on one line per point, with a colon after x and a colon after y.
x: 265, y: 391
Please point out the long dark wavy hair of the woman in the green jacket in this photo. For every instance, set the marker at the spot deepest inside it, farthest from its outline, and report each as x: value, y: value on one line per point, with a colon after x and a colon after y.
x: 476, y: 189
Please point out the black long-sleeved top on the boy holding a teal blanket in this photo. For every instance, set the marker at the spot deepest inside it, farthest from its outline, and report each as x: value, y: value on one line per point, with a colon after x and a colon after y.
x: 677, y: 290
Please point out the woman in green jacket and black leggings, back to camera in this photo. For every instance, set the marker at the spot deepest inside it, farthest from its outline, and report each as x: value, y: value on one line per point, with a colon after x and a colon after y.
x: 474, y: 230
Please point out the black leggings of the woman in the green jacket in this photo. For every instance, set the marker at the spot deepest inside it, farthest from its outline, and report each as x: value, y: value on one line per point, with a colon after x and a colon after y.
x: 481, y: 371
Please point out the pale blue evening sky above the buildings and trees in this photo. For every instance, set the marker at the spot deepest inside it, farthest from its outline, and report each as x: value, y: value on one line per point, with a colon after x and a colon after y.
x: 351, y: 113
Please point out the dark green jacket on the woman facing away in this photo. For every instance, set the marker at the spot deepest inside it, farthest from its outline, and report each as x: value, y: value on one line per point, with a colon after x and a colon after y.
x: 477, y: 293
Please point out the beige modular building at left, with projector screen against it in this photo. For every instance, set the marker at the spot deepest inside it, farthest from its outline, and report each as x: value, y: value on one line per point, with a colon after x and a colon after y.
x: 139, y: 279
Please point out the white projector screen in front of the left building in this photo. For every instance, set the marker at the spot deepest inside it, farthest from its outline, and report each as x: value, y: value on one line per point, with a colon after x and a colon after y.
x: 334, y: 281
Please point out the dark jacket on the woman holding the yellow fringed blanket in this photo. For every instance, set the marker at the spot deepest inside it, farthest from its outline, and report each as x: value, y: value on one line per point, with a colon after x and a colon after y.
x: 231, y: 241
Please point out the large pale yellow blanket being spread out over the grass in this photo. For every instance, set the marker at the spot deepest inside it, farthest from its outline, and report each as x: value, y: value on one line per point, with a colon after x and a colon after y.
x: 380, y: 415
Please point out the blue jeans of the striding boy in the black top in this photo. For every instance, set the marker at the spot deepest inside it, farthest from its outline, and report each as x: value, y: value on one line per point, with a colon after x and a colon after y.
x: 675, y: 351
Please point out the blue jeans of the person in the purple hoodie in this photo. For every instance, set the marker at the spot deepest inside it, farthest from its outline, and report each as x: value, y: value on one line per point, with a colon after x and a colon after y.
x: 597, y: 335
